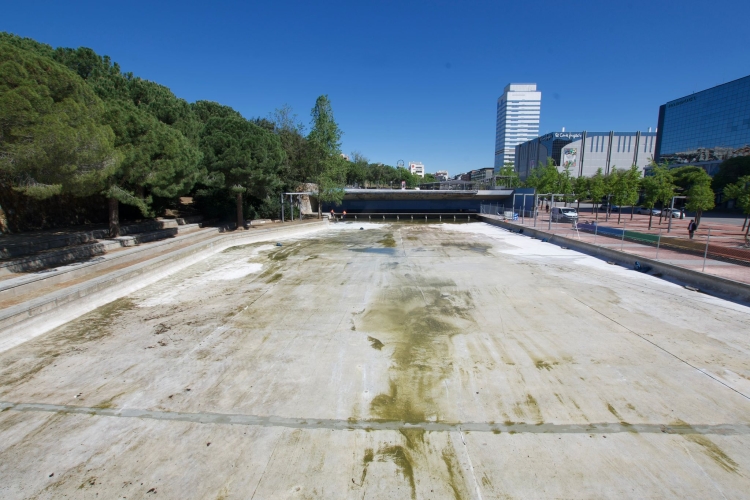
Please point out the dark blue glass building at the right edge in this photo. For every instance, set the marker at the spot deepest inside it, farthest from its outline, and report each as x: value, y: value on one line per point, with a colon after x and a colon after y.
x: 707, y: 127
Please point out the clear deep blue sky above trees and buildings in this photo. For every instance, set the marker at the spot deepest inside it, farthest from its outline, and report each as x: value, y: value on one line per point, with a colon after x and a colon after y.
x: 414, y: 80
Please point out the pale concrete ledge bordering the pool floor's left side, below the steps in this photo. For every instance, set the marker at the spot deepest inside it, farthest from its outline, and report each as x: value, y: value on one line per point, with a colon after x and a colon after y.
x: 35, y: 317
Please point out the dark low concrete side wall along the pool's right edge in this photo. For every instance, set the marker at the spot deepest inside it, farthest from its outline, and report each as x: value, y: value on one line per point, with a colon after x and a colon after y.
x: 716, y: 285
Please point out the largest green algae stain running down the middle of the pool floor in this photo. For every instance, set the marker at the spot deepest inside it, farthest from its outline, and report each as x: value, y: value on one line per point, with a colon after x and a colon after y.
x: 416, y: 316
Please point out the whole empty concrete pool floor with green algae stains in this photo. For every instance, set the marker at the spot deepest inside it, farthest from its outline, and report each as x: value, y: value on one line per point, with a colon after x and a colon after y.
x: 399, y: 361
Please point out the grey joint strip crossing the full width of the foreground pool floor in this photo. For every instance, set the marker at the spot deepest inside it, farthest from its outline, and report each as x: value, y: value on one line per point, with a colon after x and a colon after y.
x: 337, y: 424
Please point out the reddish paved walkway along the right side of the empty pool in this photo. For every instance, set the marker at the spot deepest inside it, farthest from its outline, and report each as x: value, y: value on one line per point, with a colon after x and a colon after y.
x: 669, y: 250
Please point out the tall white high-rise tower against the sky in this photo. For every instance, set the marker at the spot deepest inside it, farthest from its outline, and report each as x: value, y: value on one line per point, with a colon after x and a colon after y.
x: 518, y: 111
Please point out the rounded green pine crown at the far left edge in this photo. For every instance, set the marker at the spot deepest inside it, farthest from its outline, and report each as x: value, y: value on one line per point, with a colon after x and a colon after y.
x: 52, y: 136
